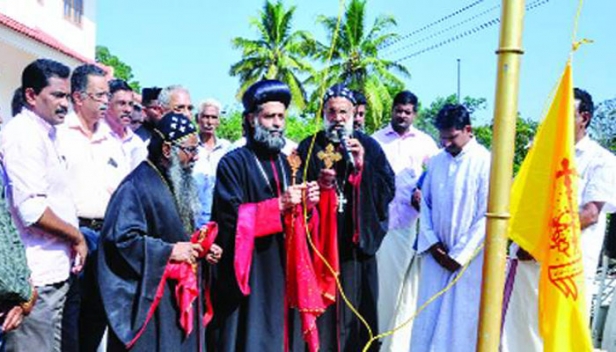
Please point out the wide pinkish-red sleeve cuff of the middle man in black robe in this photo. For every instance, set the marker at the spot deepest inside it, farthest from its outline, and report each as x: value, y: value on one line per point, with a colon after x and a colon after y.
x: 253, y: 220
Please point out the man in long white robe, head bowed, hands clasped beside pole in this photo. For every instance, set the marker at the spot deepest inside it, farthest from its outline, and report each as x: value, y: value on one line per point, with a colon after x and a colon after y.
x: 452, y: 229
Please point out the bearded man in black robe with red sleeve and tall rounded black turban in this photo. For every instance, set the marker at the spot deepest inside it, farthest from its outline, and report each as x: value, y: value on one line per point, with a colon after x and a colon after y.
x: 253, y: 190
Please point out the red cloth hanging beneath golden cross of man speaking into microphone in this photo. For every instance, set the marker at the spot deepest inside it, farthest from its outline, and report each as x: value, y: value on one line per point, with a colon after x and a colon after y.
x: 326, y: 242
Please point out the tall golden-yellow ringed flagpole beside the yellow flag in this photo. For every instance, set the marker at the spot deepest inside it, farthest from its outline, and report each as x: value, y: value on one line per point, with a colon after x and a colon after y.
x: 501, y: 174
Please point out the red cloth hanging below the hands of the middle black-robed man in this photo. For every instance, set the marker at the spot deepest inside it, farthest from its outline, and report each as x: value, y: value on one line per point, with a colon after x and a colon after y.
x: 302, y: 286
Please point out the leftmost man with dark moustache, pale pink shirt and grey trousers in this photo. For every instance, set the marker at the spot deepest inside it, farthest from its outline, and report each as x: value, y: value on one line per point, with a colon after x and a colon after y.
x: 40, y: 202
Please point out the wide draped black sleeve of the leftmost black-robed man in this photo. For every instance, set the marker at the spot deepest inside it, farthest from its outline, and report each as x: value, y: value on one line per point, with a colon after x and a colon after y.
x: 131, y: 261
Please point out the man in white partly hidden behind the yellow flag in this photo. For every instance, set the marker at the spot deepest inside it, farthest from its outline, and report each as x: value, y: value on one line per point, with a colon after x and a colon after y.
x: 596, y: 168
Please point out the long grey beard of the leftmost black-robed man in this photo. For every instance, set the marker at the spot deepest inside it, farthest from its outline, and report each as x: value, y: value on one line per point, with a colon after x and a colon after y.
x: 184, y: 191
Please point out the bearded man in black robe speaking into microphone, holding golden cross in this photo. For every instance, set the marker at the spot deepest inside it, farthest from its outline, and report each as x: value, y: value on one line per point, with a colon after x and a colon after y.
x: 364, y: 185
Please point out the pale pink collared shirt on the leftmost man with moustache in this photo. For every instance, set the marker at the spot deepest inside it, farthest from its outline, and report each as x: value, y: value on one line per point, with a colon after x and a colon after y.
x: 38, y: 179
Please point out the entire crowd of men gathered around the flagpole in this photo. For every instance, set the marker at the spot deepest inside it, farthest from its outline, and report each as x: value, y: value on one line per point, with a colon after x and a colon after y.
x: 128, y: 224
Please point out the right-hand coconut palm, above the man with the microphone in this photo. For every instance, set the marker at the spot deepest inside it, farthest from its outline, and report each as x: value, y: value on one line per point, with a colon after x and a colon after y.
x: 355, y: 60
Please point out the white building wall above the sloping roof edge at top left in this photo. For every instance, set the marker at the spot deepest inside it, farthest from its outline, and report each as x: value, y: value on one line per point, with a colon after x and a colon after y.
x: 48, y: 16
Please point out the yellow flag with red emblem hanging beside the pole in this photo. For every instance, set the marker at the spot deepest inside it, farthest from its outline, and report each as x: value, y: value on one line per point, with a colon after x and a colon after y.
x: 544, y: 221
